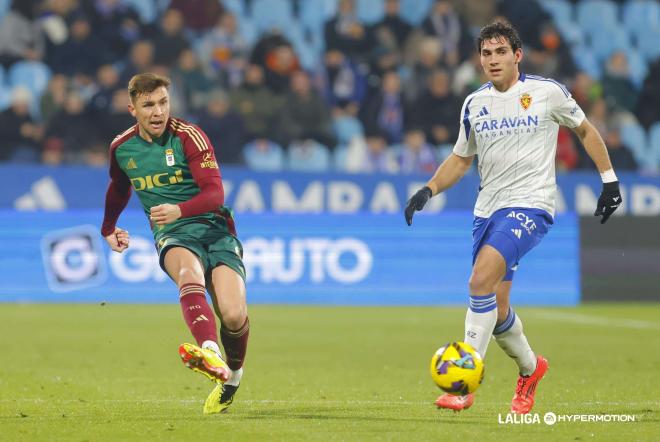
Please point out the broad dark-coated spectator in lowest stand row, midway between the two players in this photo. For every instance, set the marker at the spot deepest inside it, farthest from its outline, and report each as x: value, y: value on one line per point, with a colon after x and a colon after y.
x: 305, y: 115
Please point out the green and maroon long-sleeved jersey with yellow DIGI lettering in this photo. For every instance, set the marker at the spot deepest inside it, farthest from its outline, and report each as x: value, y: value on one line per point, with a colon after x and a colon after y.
x: 177, y: 168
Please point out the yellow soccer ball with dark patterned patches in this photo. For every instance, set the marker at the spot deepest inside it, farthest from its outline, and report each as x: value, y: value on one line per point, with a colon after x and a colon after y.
x: 457, y: 368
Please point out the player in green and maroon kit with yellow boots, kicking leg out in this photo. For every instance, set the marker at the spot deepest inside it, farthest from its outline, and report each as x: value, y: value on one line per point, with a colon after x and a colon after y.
x: 170, y: 165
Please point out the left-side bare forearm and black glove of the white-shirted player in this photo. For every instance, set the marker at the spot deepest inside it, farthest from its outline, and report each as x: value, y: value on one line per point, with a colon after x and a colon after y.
x: 446, y: 175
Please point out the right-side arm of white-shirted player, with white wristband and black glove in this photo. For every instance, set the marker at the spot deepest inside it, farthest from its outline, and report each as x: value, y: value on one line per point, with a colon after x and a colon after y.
x: 610, y: 197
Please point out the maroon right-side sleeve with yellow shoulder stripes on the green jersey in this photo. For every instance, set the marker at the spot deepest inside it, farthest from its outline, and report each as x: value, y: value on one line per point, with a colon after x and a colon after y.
x: 206, y: 173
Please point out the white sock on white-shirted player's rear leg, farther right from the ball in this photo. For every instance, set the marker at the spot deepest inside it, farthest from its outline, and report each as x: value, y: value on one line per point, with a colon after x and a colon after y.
x: 510, y: 338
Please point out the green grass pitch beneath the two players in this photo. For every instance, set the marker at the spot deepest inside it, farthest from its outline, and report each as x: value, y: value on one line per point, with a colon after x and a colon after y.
x: 112, y: 372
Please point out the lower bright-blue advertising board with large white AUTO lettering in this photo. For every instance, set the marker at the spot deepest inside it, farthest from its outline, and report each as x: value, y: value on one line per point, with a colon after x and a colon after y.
x: 310, y: 259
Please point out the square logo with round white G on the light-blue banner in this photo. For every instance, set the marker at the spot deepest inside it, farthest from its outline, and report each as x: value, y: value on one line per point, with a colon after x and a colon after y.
x: 73, y: 259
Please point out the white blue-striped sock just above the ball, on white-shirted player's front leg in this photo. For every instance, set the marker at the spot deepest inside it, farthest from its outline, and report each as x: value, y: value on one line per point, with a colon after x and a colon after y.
x: 480, y: 321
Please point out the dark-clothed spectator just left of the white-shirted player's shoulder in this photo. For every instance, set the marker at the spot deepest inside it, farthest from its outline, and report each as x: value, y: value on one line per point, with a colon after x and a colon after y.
x: 435, y: 110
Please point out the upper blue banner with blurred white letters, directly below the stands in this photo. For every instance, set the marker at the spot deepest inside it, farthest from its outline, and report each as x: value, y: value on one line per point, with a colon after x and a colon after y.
x: 45, y: 188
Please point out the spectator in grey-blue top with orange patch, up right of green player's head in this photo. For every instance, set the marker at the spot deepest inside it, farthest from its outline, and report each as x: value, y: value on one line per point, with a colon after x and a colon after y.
x: 224, y: 51
